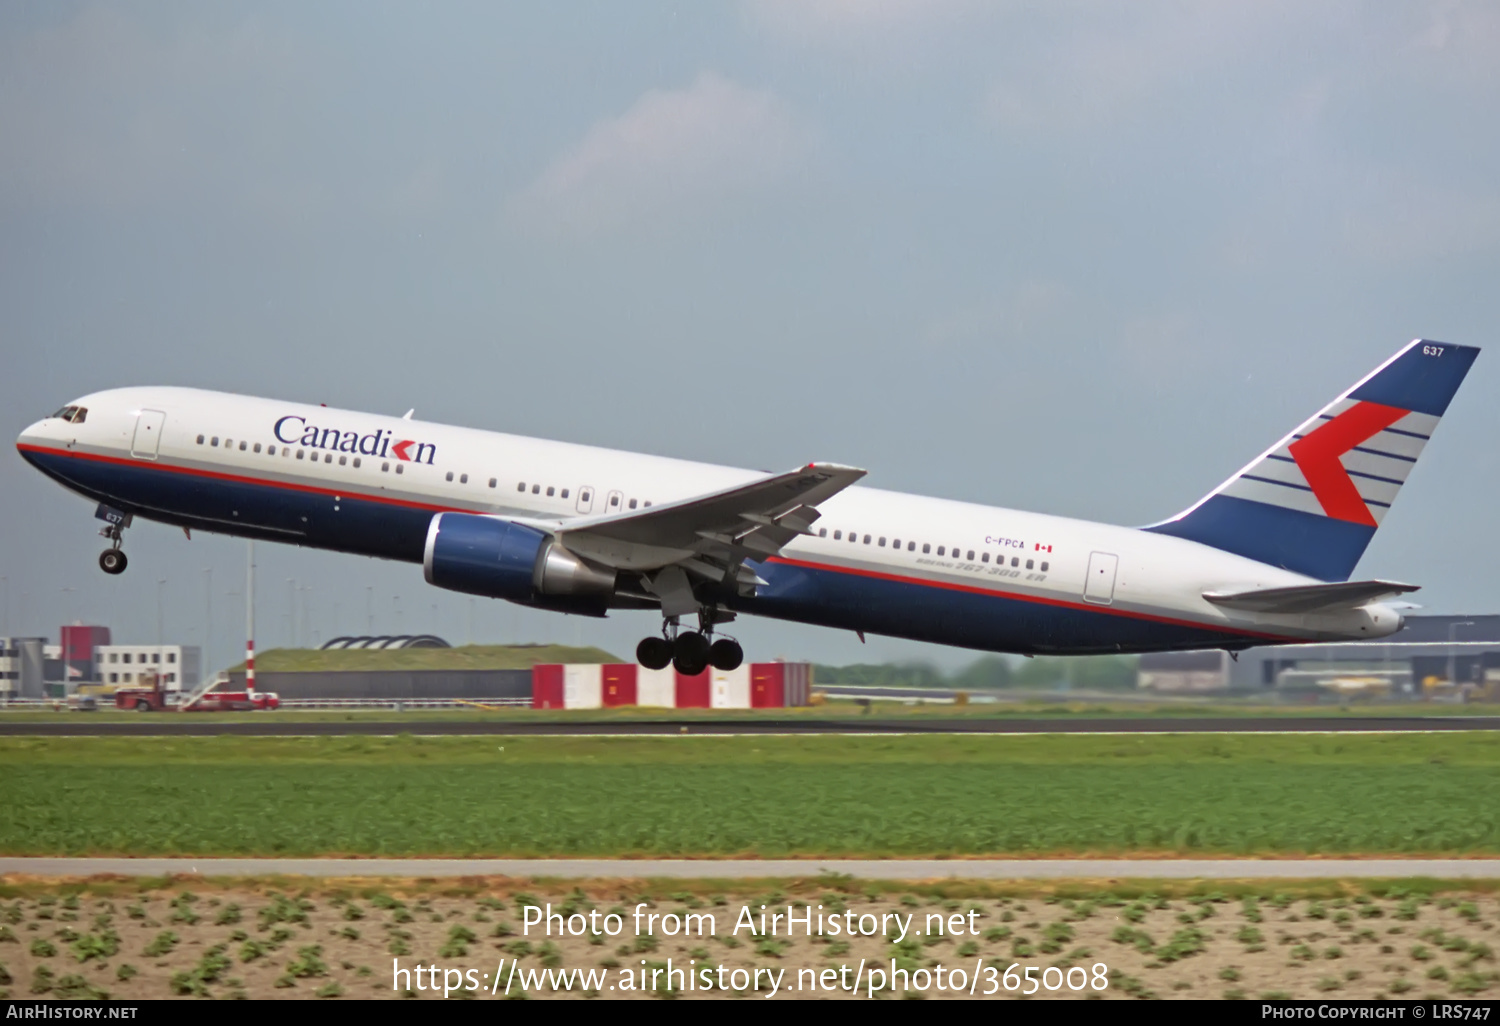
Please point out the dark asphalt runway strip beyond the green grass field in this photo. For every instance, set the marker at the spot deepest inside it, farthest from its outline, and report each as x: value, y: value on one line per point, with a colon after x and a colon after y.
x: 265, y: 725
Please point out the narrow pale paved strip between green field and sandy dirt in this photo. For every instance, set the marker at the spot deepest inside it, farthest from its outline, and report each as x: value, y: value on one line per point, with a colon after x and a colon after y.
x: 764, y: 869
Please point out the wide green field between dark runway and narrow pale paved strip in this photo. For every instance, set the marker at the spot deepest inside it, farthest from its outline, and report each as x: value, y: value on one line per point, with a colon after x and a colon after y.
x: 812, y: 796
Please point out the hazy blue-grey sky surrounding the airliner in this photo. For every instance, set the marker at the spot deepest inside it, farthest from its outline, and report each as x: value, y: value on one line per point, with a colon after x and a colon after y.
x: 1085, y: 259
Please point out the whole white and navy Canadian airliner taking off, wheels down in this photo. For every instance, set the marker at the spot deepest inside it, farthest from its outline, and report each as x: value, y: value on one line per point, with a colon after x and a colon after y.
x: 1265, y: 557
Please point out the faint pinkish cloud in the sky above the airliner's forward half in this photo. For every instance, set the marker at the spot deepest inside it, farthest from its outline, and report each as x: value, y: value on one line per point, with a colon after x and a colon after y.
x: 674, y: 154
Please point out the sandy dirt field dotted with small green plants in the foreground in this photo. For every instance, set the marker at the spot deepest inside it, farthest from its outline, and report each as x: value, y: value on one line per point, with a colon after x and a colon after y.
x: 259, y: 941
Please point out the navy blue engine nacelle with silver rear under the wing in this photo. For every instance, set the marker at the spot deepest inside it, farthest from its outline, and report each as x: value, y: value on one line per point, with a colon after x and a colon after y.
x: 484, y: 556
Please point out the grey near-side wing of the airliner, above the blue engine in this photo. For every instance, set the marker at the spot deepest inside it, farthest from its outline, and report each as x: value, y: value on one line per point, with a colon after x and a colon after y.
x: 712, y: 535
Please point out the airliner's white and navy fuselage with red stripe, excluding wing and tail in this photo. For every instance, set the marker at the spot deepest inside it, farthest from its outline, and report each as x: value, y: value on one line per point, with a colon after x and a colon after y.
x: 883, y: 562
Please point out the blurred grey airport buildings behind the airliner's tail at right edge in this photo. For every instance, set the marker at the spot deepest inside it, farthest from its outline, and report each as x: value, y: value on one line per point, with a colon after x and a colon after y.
x: 1454, y: 658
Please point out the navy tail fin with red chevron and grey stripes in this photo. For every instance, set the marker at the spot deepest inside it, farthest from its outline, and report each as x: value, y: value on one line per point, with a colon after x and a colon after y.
x: 1313, y: 502
